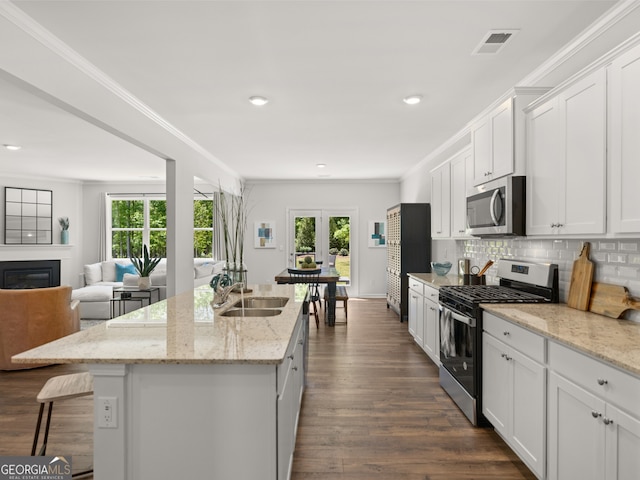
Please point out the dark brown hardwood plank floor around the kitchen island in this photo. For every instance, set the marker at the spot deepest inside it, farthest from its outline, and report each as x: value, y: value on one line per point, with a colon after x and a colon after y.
x: 373, y: 409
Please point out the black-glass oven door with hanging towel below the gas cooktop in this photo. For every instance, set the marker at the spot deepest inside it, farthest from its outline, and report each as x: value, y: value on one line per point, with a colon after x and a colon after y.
x: 457, y: 347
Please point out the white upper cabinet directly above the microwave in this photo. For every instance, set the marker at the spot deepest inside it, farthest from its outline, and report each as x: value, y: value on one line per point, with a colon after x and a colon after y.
x: 497, y: 139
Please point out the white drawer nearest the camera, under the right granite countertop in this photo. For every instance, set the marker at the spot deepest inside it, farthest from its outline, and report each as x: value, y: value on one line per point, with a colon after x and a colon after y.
x: 602, y: 379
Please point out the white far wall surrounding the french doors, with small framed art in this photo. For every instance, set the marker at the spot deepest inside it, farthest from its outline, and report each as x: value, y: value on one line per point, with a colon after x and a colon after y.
x: 270, y: 201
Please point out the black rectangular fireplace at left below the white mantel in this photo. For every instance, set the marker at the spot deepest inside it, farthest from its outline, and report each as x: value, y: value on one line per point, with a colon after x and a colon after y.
x: 30, y: 274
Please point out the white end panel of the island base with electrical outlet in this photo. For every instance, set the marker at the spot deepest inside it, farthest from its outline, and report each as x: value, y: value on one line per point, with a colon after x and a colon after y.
x: 186, y: 421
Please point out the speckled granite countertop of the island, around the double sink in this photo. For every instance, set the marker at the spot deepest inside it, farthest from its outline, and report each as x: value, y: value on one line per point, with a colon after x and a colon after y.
x: 182, y: 329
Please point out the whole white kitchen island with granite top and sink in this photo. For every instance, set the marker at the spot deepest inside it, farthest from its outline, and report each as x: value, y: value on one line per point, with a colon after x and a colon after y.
x: 195, y: 394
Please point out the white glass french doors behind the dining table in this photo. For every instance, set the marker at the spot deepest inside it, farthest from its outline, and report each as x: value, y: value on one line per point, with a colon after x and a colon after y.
x: 324, y: 235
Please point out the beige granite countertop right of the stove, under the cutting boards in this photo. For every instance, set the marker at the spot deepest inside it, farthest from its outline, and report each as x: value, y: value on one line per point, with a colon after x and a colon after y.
x: 614, y: 341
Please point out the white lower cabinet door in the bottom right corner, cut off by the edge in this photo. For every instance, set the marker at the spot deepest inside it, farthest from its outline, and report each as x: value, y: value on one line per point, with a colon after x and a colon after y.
x: 623, y: 445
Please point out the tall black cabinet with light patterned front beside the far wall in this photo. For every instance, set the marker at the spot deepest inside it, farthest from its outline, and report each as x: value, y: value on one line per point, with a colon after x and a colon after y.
x: 408, y: 251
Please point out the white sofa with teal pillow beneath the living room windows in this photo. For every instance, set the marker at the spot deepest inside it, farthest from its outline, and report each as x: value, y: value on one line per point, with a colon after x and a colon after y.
x: 99, y: 279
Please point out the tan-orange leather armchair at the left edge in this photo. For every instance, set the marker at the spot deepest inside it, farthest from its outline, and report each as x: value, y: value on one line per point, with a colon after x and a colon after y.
x: 30, y: 318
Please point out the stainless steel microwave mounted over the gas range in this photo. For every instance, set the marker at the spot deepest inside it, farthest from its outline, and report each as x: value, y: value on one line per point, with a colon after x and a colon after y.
x: 497, y: 208
